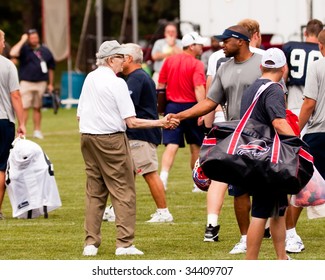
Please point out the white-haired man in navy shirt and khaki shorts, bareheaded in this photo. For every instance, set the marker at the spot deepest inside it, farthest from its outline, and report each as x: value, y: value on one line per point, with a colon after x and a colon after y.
x: 144, y: 142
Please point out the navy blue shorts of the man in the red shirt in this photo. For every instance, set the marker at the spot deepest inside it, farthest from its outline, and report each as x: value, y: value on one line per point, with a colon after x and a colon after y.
x: 193, y: 133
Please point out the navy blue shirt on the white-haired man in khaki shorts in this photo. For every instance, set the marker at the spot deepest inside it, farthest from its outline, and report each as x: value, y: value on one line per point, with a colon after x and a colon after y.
x: 143, y: 93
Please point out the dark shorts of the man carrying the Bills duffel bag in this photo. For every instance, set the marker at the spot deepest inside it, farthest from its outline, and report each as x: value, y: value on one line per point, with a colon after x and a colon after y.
x: 269, y: 205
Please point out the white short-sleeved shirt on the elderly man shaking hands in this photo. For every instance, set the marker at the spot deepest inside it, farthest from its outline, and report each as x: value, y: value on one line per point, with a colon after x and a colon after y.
x: 104, y: 103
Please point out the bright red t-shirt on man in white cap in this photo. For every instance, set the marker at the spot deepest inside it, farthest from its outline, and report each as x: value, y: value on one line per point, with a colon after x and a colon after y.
x: 182, y: 73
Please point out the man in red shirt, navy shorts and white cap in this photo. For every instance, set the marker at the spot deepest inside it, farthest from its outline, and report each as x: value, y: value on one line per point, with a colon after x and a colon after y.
x: 183, y: 77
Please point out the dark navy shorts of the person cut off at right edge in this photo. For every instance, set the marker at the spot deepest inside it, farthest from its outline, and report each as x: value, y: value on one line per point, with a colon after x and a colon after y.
x: 316, y: 142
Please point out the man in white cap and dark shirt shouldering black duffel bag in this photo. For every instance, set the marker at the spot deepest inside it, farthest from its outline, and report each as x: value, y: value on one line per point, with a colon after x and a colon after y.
x: 269, y: 110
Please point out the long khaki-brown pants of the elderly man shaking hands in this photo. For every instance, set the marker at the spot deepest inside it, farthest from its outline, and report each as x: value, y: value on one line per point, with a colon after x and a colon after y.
x: 110, y: 171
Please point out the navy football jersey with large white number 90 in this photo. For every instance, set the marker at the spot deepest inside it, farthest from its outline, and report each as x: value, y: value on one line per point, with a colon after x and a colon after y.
x: 299, y: 56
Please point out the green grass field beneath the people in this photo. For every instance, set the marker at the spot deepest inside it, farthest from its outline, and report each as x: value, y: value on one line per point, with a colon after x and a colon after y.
x: 60, y: 237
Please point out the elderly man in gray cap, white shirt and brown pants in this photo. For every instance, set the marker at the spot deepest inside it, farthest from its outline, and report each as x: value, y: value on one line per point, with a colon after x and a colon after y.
x: 105, y: 109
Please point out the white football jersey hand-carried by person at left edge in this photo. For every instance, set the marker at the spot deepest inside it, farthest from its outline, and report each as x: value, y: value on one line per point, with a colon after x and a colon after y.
x: 30, y: 181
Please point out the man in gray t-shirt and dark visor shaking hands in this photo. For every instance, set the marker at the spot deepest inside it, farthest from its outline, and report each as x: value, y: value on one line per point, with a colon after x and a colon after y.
x: 227, y: 87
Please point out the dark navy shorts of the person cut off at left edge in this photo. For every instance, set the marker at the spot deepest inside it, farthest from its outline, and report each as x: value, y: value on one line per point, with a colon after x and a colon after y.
x: 7, y: 136
